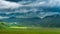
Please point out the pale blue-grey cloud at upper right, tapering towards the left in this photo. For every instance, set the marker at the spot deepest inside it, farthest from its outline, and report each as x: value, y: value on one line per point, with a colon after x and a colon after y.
x: 43, y: 3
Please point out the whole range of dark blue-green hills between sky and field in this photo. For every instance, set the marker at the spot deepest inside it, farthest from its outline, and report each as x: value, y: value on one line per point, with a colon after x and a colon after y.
x: 48, y: 21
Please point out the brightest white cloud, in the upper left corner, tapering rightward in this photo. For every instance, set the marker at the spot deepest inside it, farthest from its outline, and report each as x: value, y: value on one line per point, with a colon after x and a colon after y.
x: 6, y: 4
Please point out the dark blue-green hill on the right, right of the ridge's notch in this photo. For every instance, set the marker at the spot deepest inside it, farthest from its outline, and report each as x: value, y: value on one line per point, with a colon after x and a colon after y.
x: 51, y: 21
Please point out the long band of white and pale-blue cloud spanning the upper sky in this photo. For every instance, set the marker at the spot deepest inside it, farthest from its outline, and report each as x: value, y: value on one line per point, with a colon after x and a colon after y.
x: 50, y: 3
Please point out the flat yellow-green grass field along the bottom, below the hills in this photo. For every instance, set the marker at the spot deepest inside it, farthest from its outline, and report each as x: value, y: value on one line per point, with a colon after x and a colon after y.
x: 33, y: 30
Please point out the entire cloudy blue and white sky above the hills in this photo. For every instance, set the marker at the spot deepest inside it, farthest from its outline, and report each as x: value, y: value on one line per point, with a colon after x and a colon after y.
x: 29, y: 8
